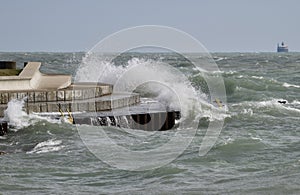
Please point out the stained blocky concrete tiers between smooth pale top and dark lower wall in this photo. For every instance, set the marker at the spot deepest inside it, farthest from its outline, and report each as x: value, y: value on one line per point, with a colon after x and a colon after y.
x: 76, y: 98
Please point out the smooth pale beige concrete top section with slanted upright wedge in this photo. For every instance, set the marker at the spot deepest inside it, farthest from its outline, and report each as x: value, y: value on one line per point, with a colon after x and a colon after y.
x: 31, y: 78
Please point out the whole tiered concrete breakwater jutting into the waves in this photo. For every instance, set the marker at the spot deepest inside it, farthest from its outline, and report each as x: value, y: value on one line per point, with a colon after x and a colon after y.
x: 85, y: 103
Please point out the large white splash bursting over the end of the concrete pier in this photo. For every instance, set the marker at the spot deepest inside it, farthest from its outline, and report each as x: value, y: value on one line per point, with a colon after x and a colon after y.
x: 167, y: 85
